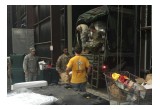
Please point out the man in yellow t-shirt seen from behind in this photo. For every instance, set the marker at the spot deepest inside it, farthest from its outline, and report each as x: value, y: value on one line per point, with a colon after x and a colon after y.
x: 80, y: 67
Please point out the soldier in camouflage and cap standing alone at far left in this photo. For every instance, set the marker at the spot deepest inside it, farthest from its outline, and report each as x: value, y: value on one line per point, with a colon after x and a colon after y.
x: 30, y: 66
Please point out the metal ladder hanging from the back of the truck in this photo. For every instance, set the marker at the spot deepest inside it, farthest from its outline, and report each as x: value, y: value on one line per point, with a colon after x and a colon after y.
x: 96, y: 64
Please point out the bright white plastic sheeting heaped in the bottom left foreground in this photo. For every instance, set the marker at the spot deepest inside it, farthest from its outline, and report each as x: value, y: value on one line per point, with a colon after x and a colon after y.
x: 26, y: 96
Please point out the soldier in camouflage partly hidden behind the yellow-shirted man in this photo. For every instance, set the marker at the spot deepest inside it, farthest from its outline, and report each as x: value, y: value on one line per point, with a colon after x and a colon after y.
x: 61, y: 64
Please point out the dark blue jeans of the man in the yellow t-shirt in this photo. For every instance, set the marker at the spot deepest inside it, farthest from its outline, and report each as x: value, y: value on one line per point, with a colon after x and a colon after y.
x: 79, y: 86
